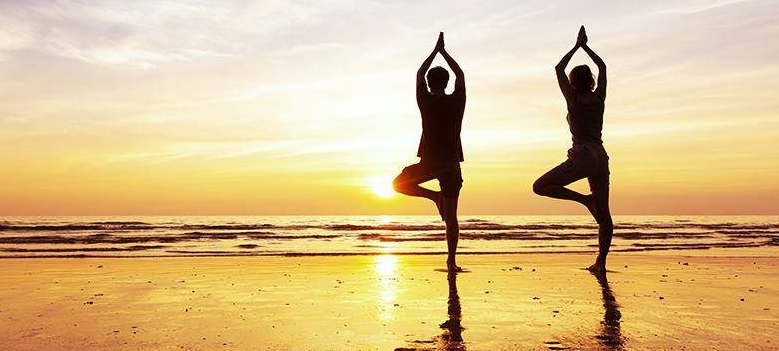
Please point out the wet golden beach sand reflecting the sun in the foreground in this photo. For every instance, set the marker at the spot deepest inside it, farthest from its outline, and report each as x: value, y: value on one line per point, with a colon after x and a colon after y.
x: 386, y: 302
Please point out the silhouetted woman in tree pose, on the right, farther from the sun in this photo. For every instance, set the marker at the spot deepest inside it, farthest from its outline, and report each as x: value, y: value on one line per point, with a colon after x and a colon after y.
x: 586, y: 158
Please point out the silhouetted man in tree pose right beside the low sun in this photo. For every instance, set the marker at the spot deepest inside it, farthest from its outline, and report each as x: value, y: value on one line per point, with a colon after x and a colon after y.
x: 440, y: 149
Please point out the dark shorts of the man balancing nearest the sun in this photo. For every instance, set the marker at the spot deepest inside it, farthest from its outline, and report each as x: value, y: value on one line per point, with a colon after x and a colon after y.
x: 449, y: 176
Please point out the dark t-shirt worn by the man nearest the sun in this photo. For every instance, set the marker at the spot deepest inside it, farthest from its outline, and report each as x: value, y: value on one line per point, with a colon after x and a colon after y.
x: 442, y: 118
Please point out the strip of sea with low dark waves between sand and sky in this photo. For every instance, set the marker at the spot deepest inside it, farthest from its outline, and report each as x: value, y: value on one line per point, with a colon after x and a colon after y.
x: 338, y: 235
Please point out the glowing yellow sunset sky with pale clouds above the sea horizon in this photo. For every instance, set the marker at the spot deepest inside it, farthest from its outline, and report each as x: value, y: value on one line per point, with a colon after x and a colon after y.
x: 305, y: 107
